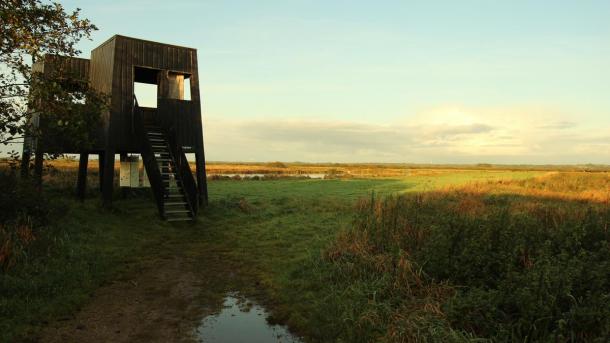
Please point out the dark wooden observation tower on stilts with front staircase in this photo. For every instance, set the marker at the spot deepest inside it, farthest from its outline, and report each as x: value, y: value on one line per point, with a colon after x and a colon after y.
x: 161, y: 135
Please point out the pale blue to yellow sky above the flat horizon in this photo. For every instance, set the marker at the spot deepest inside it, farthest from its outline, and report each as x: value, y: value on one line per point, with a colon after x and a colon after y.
x: 388, y: 81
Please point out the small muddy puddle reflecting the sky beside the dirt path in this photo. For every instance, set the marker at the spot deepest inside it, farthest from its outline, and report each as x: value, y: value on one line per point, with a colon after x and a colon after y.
x: 241, y: 320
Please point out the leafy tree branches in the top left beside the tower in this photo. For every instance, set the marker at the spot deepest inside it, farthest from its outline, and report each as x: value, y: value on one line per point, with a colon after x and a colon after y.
x: 29, y: 30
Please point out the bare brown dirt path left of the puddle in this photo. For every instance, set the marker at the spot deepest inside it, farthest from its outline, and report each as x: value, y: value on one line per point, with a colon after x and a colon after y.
x: 162, y: 304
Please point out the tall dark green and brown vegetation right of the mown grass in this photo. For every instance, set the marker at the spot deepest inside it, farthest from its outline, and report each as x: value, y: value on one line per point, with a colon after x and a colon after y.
x: 520, y: 267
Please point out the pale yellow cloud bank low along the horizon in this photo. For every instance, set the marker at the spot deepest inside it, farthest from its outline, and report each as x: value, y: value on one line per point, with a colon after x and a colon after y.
x: 441, y: 135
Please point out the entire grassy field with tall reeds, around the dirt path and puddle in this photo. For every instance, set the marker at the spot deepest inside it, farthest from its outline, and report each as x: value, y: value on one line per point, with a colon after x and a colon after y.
x: 347, y: 259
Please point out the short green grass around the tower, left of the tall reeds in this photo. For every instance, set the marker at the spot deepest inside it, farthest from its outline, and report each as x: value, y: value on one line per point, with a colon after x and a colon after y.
x: 270, y: 230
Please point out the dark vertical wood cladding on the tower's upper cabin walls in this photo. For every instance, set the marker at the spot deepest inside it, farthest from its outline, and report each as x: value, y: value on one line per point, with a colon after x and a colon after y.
x: 111, y: 72
